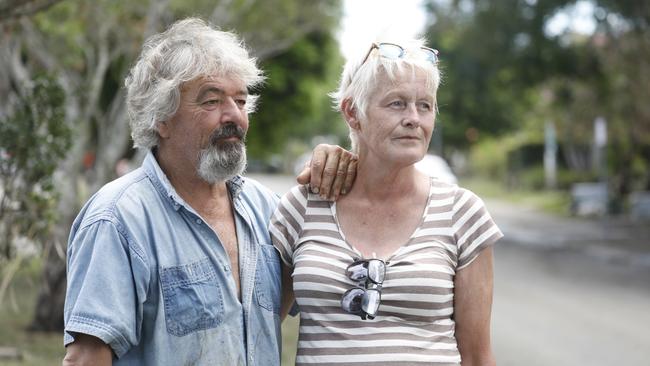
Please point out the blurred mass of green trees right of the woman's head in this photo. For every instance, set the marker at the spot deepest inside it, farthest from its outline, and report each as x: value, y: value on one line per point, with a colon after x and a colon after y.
x: 504, y: 72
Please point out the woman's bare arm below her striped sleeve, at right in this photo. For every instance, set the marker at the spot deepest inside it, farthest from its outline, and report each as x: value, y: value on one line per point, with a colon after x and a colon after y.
x: 472, y: 310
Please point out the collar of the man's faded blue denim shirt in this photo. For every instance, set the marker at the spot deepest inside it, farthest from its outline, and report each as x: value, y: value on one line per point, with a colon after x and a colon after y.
x: 165, y: 188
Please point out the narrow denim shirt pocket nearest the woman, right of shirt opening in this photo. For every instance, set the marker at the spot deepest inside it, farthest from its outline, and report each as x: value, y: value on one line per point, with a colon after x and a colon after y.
x: 268, y: 282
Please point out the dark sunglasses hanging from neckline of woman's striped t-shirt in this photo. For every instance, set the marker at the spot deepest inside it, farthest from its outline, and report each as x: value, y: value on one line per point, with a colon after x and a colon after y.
x: 364, y: 301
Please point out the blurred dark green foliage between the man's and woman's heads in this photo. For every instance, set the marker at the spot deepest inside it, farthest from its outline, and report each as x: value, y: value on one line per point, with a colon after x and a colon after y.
x: 294, y: 103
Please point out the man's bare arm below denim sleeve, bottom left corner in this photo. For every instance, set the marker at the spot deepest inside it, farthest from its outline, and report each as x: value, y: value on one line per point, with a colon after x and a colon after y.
x: 87, y: 350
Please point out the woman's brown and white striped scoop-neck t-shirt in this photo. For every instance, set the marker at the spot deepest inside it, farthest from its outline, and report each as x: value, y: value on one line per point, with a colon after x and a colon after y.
x: 414, y: 323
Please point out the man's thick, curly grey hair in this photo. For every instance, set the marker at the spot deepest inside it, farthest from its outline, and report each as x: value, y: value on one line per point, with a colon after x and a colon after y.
x: 188, y: 50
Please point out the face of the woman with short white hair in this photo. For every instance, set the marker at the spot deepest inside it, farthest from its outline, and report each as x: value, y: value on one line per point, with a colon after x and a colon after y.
x: 399, y: 120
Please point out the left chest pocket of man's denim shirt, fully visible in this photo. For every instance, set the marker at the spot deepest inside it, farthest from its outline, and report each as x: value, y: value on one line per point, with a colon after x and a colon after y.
x: 192, y: 297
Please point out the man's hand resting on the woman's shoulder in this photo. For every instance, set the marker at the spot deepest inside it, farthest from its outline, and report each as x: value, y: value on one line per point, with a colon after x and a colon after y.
x: 330, y: 172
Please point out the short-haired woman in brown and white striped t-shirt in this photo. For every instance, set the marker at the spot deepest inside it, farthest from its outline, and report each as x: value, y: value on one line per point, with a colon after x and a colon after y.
x: 399, y: 270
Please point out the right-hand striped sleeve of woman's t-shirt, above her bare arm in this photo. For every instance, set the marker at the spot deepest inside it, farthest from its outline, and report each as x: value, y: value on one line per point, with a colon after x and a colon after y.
x: 473, y: 227
